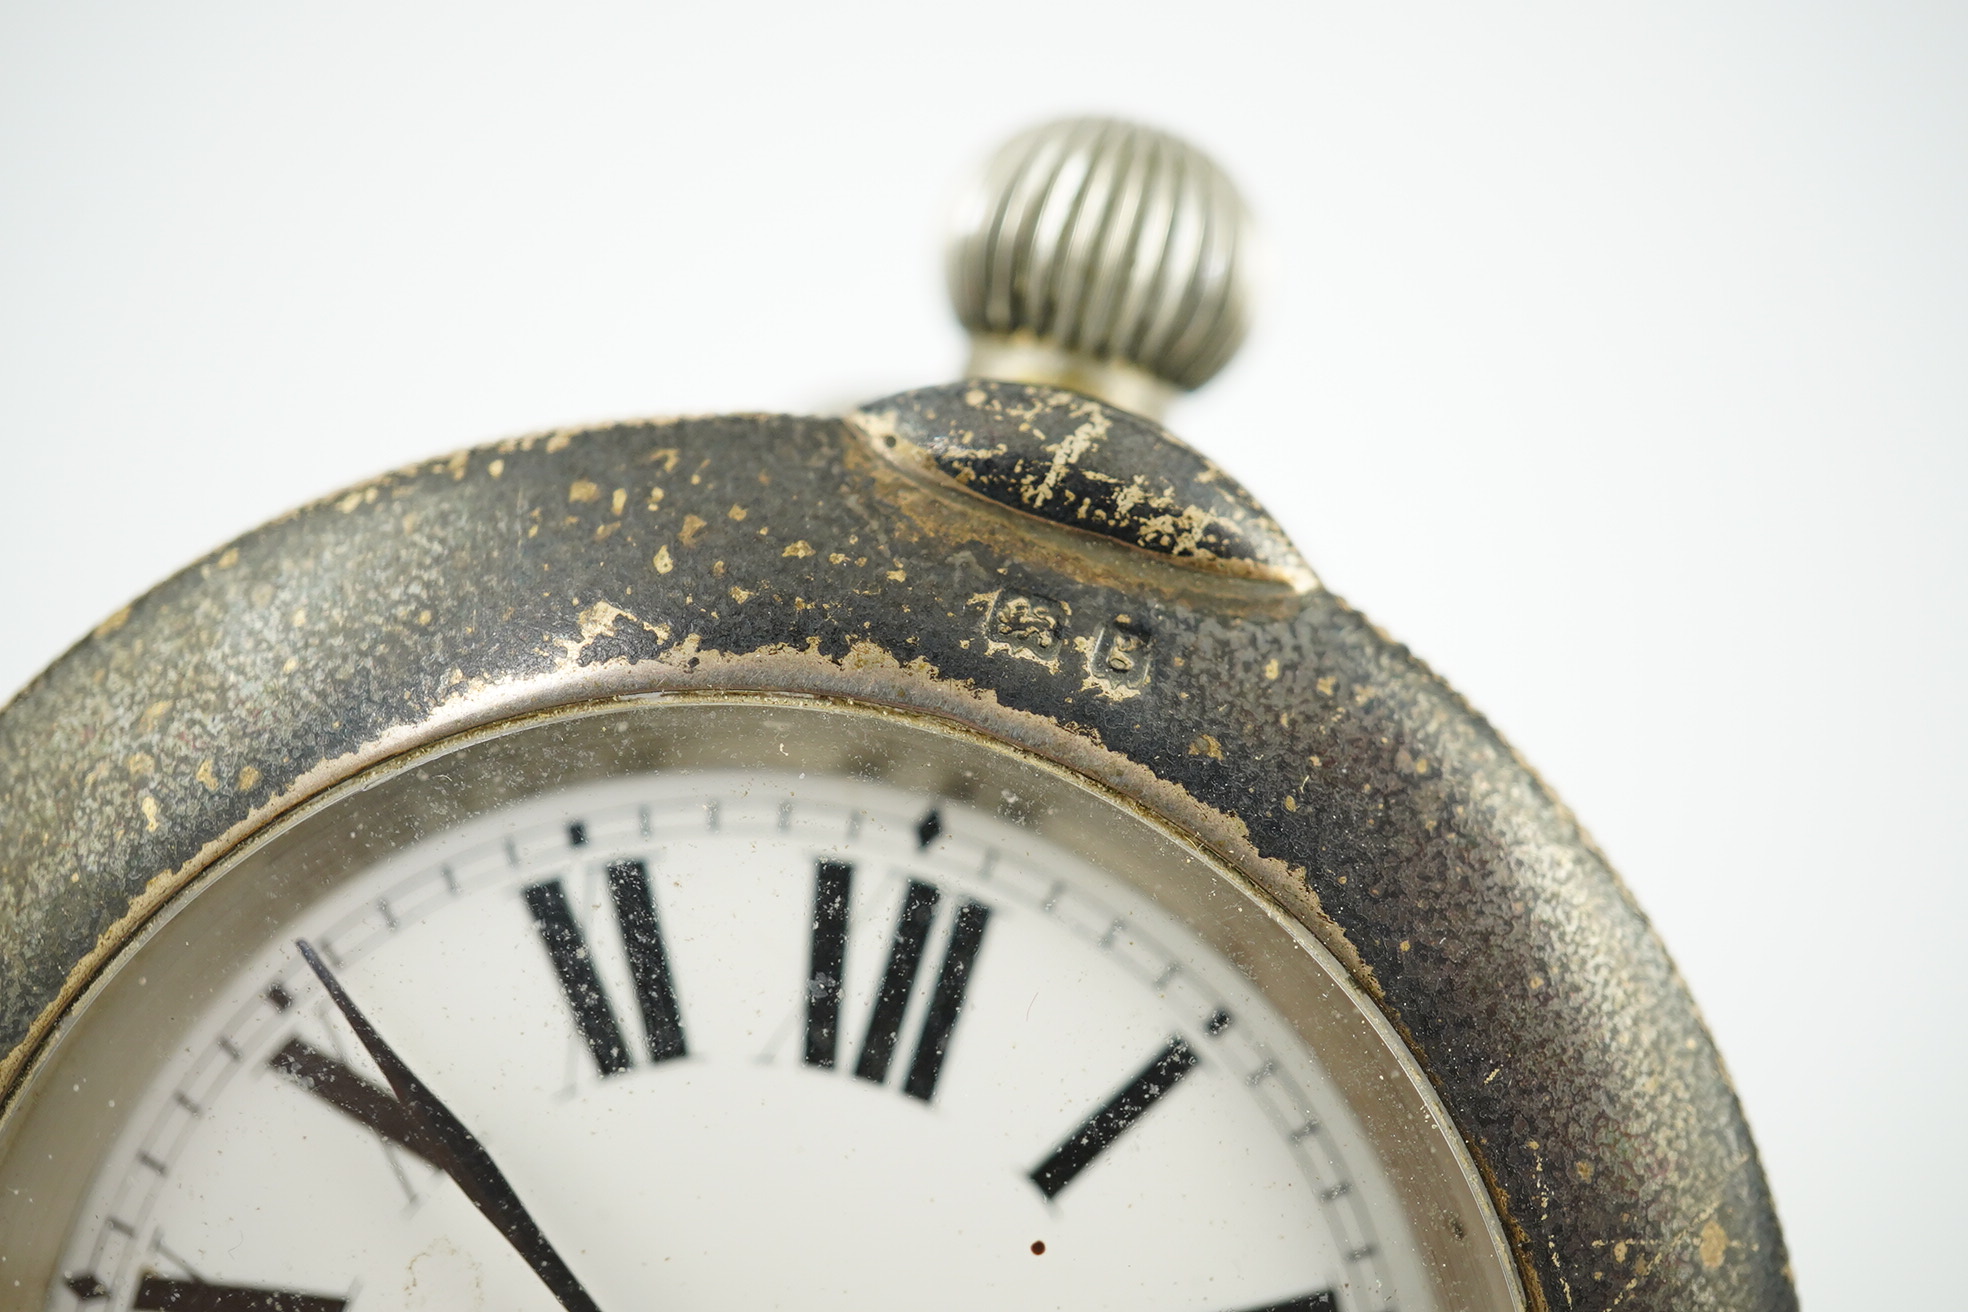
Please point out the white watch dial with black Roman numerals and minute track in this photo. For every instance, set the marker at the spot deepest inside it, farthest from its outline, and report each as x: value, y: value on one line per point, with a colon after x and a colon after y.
x: 721, y: 1038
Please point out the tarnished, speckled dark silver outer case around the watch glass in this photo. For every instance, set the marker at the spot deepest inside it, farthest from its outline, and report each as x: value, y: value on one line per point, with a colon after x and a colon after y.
x: 814, y: 556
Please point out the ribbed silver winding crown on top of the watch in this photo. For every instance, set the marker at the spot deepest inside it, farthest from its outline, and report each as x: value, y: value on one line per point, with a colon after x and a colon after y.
x: 1109, y: 243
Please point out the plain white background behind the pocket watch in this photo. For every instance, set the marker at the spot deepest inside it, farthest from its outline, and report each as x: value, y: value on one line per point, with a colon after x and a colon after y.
x: 1617, y: 361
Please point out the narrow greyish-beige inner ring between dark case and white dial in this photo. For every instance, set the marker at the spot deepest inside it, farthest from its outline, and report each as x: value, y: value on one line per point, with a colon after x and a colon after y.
x: 137, y: 1010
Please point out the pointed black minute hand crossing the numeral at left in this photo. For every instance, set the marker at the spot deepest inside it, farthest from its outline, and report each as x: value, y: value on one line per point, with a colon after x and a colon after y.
x: 458, y: 1152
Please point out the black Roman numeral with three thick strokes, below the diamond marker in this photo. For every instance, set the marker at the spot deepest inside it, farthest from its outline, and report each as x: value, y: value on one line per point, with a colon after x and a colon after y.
x: 828, y: 963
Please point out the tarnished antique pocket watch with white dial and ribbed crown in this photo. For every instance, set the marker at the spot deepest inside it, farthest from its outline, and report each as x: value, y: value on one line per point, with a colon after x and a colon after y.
x: 953, y: 853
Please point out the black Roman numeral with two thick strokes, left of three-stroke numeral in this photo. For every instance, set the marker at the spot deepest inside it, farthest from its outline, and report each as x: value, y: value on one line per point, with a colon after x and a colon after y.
x: 648, y: 963
